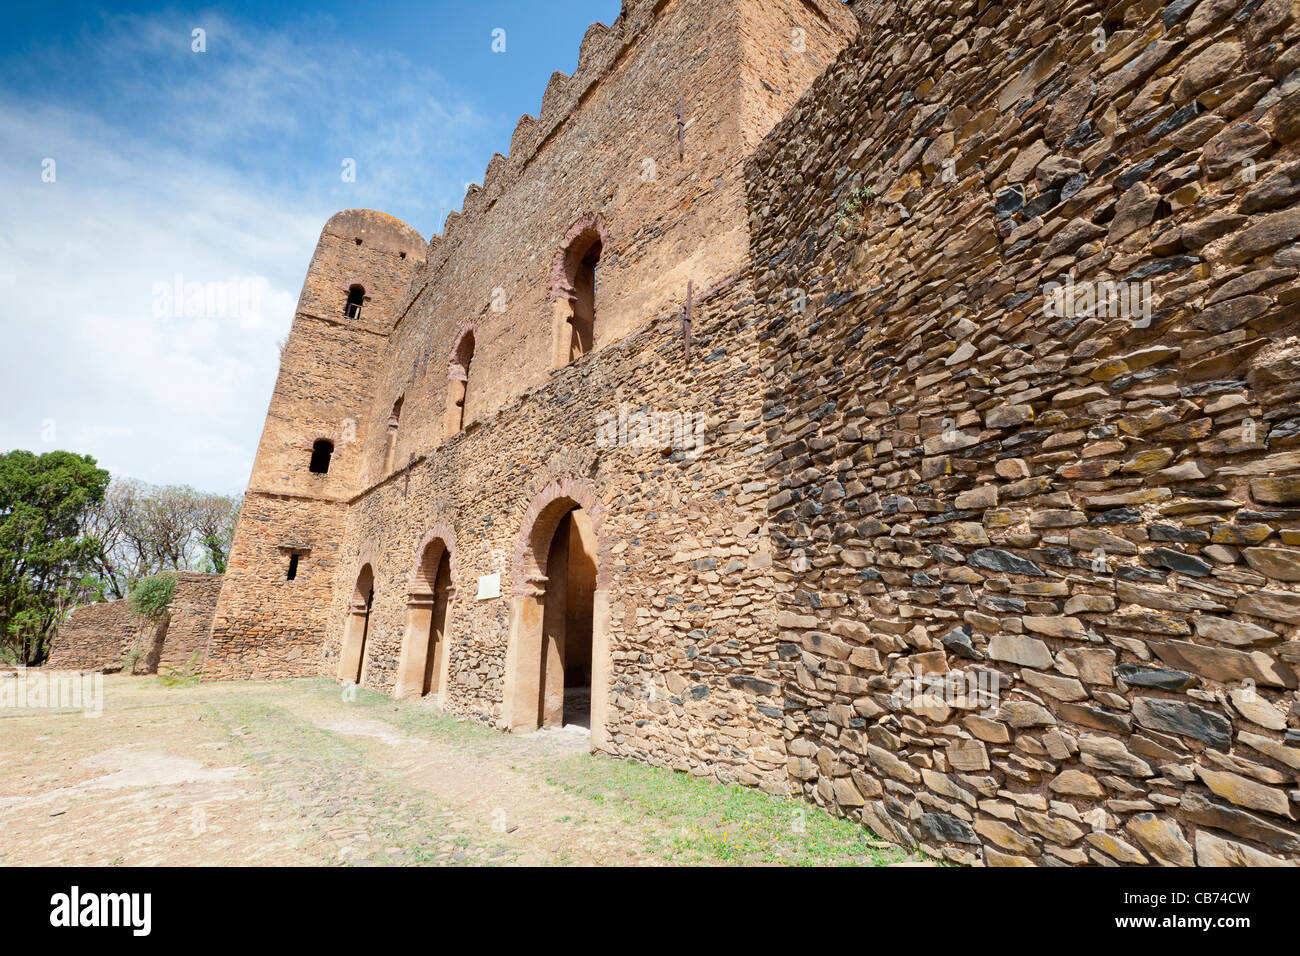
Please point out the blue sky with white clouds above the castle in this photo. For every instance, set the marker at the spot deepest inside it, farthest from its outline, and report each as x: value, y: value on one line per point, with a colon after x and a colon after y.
x: 132, y: 166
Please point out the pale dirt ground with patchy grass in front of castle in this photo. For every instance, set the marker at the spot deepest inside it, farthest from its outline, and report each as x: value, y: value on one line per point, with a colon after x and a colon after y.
x: 294, y: 773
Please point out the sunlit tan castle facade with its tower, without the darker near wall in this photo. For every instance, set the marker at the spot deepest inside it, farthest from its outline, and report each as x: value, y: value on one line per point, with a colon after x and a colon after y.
x: 483, y: 461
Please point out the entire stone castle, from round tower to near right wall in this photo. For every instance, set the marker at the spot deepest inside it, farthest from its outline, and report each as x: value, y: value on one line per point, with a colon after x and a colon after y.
x: 892, y: 404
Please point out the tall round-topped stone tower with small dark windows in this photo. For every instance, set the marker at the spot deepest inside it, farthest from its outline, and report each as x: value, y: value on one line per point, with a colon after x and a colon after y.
x: 267, y: 625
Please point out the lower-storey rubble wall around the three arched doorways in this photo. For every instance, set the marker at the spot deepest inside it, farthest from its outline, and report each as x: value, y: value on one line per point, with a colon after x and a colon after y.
x: 686, y: 557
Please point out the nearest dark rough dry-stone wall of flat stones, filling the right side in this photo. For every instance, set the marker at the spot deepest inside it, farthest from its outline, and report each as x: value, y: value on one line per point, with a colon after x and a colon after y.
x: 1103, y: 509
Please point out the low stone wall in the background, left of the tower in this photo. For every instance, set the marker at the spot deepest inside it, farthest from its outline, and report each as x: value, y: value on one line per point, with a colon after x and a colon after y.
x: 103, y: 637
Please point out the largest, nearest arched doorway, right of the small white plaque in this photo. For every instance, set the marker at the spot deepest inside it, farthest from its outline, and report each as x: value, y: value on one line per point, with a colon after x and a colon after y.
x: 557, y: 663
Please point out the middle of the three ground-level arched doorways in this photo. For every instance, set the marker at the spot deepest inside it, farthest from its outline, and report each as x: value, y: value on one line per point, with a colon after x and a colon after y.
x: 426, y: 659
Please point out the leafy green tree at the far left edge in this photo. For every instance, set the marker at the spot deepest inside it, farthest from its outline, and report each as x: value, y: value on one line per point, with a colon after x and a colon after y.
x: 46, y: 553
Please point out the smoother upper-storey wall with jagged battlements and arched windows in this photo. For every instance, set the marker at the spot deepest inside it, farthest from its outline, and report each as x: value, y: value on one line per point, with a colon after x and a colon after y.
x: 614, y: 158
